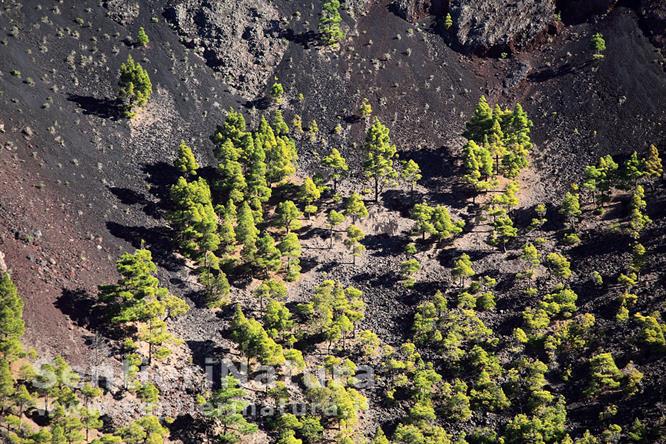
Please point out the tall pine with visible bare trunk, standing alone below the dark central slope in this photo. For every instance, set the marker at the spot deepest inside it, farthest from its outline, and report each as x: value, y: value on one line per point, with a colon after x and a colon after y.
x: 381, y: 154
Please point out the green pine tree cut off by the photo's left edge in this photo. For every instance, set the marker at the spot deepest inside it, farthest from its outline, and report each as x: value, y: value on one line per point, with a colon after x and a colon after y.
x: 11, y: 319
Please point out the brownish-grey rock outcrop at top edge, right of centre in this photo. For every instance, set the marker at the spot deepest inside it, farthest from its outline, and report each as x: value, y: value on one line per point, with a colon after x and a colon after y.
x: 499, y: 25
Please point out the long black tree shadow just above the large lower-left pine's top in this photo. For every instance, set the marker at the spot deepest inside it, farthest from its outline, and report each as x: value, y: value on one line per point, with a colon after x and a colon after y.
x: 159, y: 240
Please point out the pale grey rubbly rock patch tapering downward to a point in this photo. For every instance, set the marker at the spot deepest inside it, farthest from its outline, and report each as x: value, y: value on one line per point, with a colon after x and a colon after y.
x: 239, y: 38
